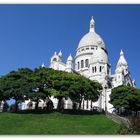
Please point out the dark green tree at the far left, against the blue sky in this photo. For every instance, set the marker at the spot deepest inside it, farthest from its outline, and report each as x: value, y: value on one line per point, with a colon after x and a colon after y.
x: 15, y: 85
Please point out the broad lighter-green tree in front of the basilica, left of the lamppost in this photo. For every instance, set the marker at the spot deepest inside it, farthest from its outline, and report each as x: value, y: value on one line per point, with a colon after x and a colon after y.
x: 63, y: 85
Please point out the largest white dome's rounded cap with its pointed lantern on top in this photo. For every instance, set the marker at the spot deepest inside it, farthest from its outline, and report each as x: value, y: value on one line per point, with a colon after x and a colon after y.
x: 91, y: 38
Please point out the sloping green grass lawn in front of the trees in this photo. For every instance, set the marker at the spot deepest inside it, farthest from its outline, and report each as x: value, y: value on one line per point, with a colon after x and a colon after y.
x: 56, y: 123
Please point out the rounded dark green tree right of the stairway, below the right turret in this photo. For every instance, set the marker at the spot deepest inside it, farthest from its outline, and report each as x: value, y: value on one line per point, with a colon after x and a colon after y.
x: 126, y: 97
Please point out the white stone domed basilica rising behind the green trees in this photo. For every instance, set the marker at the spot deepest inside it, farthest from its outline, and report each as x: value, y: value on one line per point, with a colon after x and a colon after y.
x: 92, y: 61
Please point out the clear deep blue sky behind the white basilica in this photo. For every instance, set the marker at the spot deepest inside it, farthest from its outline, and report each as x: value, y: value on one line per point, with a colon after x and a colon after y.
x: 29, y: 34
